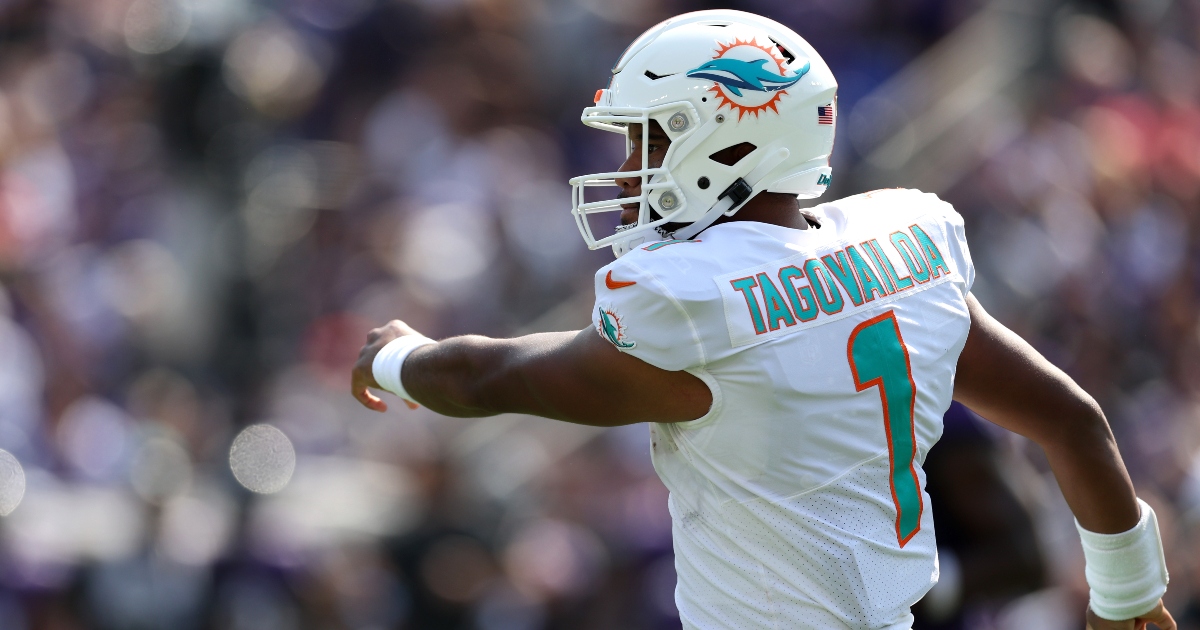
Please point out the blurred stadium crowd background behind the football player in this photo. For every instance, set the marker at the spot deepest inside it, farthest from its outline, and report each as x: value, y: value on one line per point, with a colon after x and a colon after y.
x: 206, y: 205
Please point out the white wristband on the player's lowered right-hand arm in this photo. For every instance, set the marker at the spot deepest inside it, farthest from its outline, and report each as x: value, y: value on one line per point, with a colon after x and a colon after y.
x: 1126, y: 572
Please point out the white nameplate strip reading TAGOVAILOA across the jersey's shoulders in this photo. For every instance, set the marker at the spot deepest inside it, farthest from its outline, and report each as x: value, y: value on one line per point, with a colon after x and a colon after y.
x: 819, y: 287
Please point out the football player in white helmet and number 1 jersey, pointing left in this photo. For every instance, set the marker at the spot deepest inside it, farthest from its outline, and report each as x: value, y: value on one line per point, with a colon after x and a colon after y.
x: 794, y: 367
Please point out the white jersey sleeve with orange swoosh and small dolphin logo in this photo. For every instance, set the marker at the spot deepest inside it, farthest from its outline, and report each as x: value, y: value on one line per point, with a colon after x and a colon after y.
x: 638, y: 314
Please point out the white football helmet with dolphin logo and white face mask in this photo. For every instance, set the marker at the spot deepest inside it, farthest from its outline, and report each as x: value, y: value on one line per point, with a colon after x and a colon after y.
x: 712, y: 80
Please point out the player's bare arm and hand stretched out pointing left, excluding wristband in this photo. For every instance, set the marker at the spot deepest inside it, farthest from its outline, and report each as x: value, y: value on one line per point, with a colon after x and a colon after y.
x: 577, y: 377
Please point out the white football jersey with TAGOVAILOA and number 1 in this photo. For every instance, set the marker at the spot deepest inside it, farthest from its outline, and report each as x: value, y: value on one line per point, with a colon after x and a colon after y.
x: 799, y: 501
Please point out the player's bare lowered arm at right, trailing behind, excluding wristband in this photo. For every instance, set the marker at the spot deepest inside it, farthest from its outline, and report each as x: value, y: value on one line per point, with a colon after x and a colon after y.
x: 1006, y: 381
